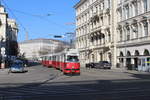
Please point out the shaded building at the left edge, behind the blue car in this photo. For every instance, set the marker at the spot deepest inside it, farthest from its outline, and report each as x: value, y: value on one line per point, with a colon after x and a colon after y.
x: 8, y: 35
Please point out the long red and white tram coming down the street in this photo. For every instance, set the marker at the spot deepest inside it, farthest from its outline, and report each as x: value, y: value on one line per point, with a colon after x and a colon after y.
x: 67, y: 61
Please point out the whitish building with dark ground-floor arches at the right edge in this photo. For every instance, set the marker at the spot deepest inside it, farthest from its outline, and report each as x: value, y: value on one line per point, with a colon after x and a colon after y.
x: 133, y: 30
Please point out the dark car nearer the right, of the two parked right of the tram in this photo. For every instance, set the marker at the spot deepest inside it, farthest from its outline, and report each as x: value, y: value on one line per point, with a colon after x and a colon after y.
x: 103, y: 65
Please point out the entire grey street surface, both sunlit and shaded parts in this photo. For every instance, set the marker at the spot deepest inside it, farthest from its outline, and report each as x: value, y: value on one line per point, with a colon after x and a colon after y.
x: 41, y: 83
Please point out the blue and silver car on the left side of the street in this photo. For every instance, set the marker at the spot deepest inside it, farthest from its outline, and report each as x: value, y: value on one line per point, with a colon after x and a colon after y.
x: 17, y: 66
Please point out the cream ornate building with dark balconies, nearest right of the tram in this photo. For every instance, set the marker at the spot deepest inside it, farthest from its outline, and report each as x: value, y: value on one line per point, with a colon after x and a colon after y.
x: 94, y: 35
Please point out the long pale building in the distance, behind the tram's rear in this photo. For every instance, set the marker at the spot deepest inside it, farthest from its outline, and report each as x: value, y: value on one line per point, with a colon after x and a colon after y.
x: 33, y: 49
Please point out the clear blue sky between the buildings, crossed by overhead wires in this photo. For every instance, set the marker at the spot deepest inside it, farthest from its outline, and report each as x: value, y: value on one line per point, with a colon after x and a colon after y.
x: 62, y: 12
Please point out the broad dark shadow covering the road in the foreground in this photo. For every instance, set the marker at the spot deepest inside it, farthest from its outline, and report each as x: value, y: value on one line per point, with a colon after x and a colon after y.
x: 125, y: 89
